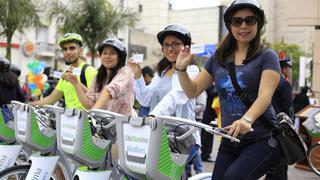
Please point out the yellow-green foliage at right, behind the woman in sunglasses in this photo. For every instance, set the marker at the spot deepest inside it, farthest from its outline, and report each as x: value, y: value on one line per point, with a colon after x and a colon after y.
x: 294, y: 52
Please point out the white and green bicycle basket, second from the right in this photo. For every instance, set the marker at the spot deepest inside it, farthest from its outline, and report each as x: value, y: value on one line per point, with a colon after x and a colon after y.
x: 76, y: 139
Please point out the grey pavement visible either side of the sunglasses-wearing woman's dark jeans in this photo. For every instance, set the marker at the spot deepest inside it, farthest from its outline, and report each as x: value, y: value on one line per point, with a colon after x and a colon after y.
x: 293, y: 173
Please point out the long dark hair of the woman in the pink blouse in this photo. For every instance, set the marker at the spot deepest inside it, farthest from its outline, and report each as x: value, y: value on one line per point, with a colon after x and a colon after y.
x: 103, y: 75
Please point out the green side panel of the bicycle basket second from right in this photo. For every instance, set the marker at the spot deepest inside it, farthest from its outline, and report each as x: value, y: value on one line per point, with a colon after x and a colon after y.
x: 89, y: 149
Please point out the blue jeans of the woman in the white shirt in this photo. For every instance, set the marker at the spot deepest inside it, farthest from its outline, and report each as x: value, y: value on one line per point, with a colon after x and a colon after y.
x: 197, y: 162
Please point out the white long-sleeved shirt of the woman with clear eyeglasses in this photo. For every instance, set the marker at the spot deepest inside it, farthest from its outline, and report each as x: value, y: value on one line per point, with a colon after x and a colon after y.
x: 167, y: 99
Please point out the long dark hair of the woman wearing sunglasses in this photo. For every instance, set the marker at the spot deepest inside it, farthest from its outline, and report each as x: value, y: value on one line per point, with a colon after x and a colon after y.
x: 229, y: 44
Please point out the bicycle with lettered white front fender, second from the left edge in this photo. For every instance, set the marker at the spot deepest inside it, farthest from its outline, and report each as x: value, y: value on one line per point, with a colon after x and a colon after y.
x: 34, y: 128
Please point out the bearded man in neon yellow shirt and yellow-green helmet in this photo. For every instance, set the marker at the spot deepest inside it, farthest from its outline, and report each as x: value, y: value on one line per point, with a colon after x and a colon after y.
x: 72, y: 47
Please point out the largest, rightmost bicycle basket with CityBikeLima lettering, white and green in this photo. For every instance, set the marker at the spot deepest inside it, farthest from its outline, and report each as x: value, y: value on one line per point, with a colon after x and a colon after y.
x: 144, y: 149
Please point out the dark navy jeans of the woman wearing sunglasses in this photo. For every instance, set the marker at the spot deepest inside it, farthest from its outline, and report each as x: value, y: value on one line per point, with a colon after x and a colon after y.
x: 249, y: 159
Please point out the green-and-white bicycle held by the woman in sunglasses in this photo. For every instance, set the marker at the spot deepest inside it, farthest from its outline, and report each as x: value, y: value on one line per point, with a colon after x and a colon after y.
x: 157, y: 148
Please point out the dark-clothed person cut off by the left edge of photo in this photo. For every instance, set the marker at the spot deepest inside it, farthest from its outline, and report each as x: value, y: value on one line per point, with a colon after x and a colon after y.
x: 9, y: 86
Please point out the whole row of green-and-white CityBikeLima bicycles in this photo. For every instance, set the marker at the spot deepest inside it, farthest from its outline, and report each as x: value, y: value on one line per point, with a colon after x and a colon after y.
x: 50, y: 142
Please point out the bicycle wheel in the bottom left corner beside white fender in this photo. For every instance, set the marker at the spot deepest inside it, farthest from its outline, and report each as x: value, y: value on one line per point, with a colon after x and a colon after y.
x: 15, y: 173
